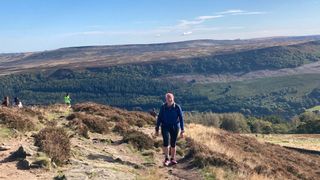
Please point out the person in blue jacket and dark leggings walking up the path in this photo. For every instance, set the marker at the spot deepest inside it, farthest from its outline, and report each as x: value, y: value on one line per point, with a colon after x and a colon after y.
x: 171, y: 120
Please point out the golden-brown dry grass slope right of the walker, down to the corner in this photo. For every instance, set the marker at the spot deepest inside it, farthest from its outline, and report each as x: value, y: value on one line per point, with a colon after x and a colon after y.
x: 255, y: 160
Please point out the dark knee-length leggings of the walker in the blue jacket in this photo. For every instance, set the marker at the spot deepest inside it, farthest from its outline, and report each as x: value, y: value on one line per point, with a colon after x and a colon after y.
x: 169, y: 132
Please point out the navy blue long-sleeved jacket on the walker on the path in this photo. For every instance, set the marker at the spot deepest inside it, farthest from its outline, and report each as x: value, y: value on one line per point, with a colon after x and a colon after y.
x: 170, y: 116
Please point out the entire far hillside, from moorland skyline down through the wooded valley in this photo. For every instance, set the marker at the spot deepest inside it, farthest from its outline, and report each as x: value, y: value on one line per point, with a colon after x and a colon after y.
x: 259, y: 77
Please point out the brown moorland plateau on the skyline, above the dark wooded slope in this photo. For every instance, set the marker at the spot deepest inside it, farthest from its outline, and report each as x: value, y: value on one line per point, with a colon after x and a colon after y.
x: 93, y: 56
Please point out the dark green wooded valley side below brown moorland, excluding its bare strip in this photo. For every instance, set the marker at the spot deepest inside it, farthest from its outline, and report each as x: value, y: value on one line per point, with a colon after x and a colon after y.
x: 140, y: 86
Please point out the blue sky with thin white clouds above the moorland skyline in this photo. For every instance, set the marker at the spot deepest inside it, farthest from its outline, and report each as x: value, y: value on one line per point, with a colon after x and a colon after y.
x: 34, y: 25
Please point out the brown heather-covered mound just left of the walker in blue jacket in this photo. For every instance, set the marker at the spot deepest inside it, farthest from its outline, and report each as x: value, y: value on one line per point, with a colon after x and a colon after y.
x: 100, y: 118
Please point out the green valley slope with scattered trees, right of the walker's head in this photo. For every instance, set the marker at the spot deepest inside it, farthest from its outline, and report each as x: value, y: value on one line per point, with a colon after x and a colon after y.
x: 284, y: 96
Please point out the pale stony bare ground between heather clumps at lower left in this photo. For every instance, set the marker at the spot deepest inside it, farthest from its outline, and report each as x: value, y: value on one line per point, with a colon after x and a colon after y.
x: 102, y: 156
